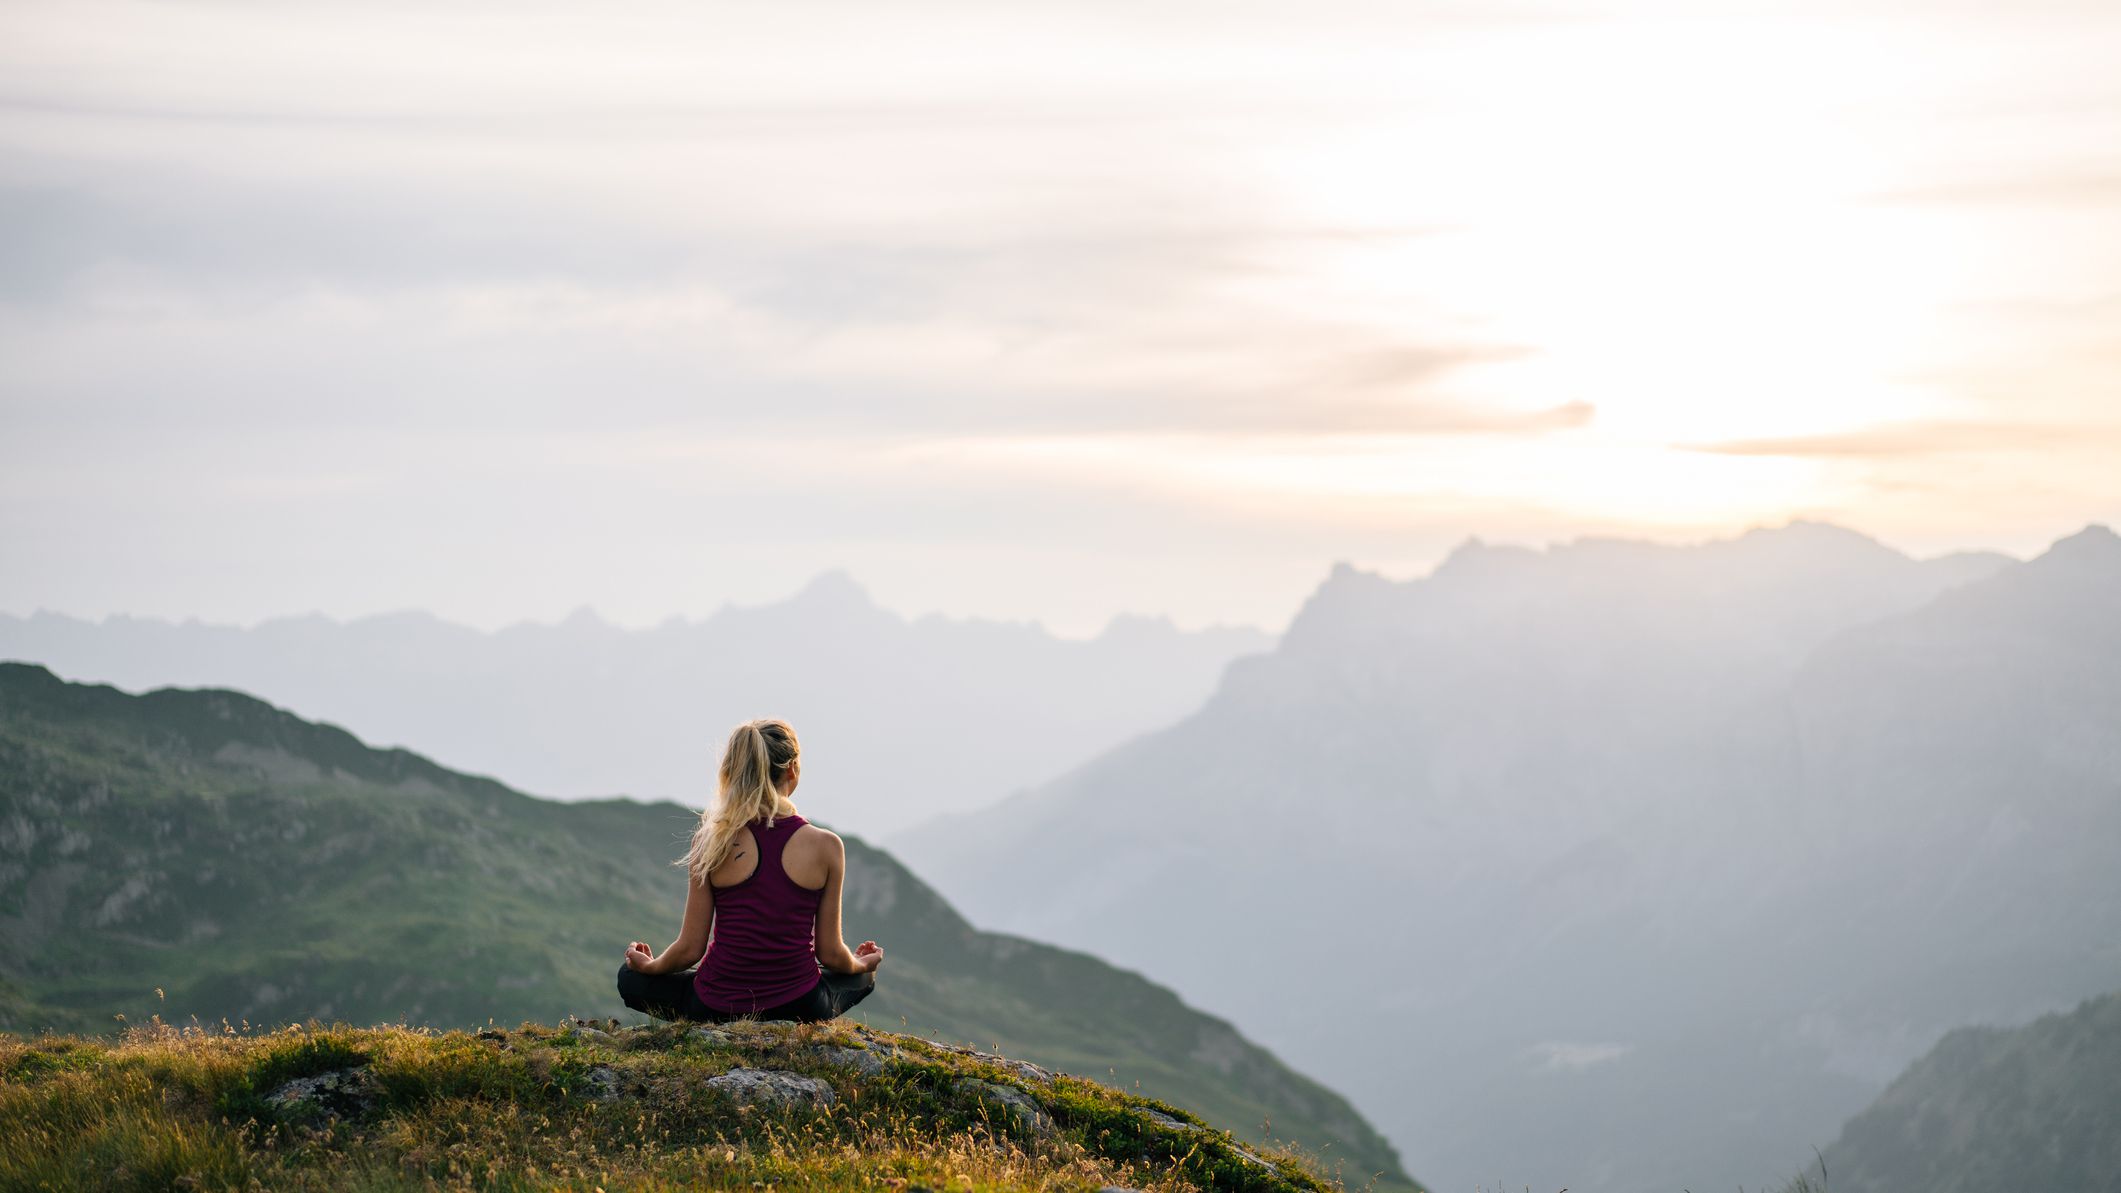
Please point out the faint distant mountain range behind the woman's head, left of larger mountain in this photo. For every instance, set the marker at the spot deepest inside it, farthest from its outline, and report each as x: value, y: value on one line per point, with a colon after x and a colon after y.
x: 900, y: 719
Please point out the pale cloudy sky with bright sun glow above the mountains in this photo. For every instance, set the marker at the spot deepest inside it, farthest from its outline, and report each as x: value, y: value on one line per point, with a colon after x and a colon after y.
x: 1030, y: 311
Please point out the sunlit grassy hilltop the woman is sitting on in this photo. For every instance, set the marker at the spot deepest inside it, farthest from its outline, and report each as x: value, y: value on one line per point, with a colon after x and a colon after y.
x: 569, y: 1109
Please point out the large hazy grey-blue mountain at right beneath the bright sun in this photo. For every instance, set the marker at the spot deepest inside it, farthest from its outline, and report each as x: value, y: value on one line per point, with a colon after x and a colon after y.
x: 1613, y: 865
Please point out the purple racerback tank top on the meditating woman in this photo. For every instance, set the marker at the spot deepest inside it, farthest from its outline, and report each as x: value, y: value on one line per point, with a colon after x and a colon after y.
x: 765, y: 948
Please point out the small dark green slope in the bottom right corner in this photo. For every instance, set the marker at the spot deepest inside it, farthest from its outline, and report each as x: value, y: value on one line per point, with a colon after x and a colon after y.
x: 1988, y: 1109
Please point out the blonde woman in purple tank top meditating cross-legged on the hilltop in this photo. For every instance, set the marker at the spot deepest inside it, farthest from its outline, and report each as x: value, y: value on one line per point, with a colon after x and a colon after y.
x: 769, y: 886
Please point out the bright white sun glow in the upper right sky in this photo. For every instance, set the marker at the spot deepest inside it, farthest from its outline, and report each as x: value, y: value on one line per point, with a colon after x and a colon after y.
x: 1664, y: 226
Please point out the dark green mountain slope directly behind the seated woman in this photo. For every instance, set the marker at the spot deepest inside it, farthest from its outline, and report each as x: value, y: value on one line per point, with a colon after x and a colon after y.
x: 260, y: 867
